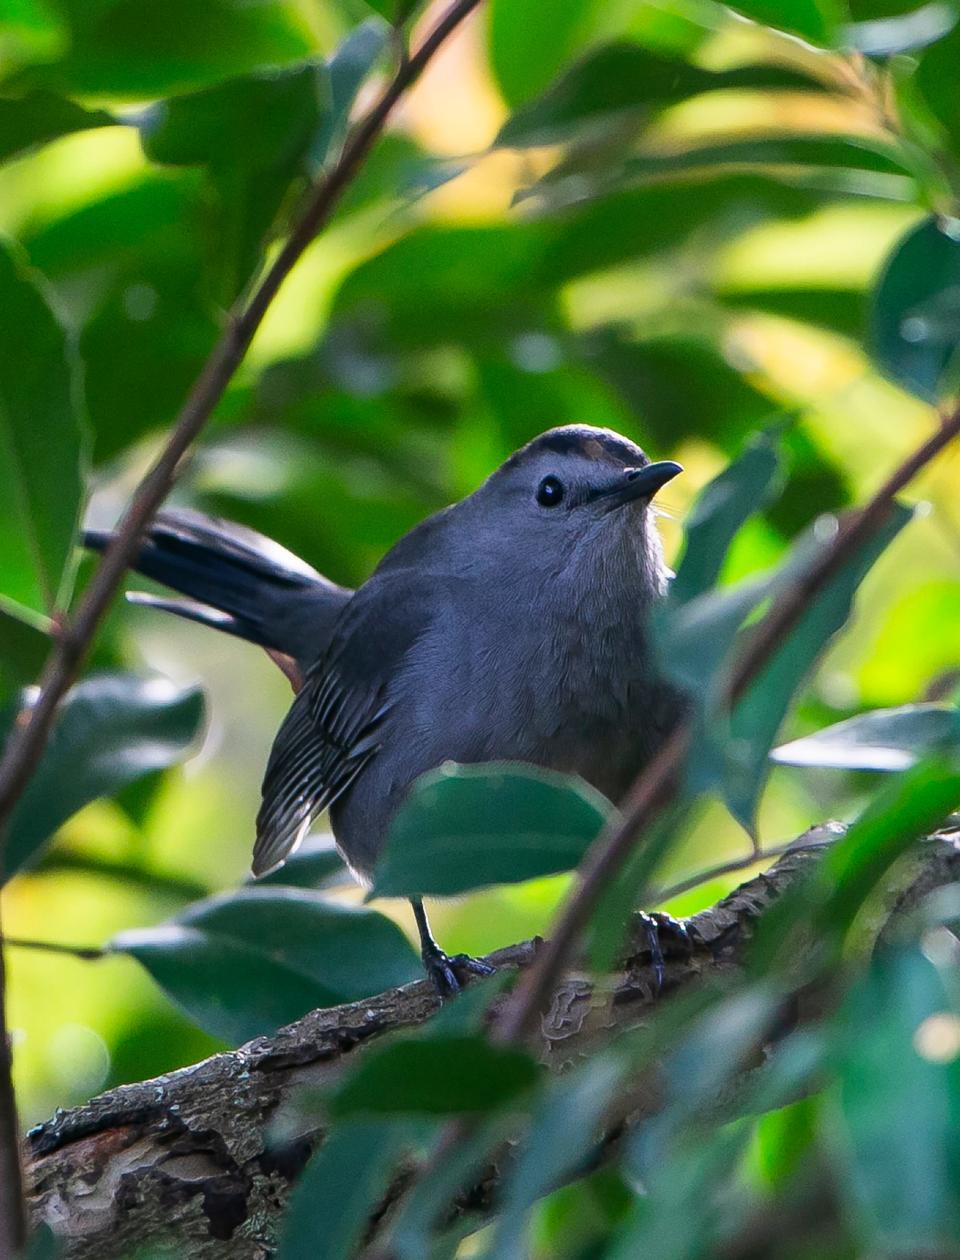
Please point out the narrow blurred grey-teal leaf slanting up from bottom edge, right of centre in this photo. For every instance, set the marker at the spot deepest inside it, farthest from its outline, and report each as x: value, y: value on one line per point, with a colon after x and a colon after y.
x: 565, y: 1127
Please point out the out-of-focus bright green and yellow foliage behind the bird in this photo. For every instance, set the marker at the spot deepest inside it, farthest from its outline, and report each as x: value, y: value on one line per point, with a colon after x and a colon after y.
x: 477, y: 288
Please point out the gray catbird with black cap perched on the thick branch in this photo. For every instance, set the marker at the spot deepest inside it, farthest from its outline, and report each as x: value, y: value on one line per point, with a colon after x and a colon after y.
x: 510, y: 627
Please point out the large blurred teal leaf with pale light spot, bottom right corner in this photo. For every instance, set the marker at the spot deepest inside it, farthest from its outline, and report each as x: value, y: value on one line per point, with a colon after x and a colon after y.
x: 896, y: 1116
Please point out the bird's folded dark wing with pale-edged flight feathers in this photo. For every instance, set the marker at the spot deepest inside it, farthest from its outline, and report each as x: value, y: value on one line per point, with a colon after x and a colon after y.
x: 333, y: 728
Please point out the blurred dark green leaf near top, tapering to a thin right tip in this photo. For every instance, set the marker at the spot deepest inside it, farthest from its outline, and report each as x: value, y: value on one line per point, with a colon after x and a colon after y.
x: 626, y: 79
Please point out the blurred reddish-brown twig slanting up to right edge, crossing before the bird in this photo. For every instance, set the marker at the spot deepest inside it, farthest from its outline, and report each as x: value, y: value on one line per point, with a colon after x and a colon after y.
x: 656, y: 787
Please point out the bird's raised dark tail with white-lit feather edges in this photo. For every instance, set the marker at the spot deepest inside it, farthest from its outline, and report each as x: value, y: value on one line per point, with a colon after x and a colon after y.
x: 237, y: 581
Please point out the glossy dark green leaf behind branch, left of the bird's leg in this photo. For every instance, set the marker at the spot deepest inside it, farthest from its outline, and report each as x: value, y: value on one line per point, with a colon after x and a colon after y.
x: 245, y: 963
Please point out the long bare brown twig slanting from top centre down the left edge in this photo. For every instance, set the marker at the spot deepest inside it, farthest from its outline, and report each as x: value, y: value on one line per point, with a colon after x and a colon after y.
x: 33, y: 726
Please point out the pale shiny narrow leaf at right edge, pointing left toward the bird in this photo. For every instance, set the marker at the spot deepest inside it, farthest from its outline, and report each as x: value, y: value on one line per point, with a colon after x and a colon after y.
x: 890, y: 739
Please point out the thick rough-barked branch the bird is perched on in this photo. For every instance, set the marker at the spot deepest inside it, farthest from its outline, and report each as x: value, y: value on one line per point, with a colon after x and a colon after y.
x: 195, y: 1162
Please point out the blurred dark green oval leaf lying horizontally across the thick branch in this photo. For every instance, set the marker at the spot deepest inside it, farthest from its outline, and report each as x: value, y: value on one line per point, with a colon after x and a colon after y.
x: 435, y: 1077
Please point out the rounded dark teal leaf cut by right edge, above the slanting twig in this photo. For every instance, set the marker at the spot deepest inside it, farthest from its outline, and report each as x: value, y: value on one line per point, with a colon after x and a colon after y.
x: 915, y: 318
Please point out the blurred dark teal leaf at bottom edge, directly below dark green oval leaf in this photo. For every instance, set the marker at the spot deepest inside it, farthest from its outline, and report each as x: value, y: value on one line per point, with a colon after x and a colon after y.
x: 334, y: 1199
